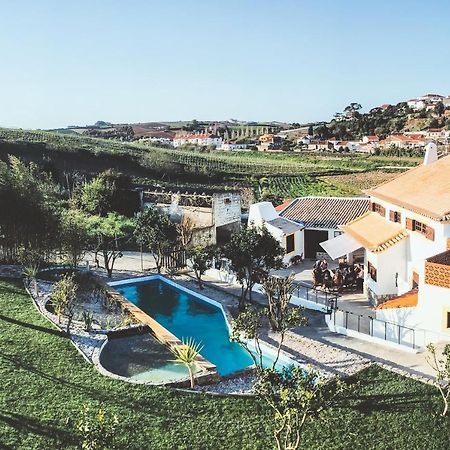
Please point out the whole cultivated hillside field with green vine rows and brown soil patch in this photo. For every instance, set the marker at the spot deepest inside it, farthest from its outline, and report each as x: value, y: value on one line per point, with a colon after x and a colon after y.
x: 283, y: 175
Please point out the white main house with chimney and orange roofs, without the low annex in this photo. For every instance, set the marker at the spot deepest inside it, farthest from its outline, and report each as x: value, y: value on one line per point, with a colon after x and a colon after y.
x: 406, y: 238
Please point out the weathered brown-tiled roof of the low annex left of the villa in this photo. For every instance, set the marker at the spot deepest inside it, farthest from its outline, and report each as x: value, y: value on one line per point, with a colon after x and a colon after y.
x: 325, y: 212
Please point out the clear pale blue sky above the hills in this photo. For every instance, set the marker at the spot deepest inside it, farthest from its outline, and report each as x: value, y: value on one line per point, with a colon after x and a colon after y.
x: 77, y: 62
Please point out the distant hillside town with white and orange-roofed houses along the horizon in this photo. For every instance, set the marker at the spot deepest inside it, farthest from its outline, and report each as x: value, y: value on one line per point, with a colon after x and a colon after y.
x: 407, y: 126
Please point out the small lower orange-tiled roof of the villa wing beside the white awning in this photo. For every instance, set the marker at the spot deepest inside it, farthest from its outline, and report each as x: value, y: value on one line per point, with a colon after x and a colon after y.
x: 374, y: 232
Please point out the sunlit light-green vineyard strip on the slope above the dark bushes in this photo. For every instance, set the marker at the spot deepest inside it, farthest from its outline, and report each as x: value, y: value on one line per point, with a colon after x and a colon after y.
x: 195, y: 162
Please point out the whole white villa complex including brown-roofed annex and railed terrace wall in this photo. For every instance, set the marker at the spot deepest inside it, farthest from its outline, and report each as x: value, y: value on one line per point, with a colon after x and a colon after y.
x: 401, y: 233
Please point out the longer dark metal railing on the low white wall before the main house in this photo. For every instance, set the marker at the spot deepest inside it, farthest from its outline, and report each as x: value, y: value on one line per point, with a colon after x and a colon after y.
x: 381, y: 329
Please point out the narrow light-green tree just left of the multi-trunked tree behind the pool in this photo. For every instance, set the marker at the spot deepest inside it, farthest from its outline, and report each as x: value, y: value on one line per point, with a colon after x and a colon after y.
x: 74, y: 234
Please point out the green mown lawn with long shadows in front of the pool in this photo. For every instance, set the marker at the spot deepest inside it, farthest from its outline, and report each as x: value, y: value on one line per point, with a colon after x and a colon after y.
x: 44, y: 382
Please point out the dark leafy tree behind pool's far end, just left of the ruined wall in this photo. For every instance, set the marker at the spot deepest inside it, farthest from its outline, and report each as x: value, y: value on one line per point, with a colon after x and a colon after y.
x: 157, y: 232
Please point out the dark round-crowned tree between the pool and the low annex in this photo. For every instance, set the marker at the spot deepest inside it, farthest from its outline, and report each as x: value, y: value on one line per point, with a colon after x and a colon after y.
x: 253, y: 253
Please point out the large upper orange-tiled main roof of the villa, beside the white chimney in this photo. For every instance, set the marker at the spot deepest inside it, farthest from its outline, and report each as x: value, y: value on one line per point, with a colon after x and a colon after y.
x: 424, y: 189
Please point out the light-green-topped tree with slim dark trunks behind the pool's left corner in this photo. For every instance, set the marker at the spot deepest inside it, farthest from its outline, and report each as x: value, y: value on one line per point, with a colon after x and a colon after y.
x: 110, y: 233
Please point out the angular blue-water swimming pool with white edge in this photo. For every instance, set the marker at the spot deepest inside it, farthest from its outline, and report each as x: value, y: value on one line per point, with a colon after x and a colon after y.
x: 188, y: 314
